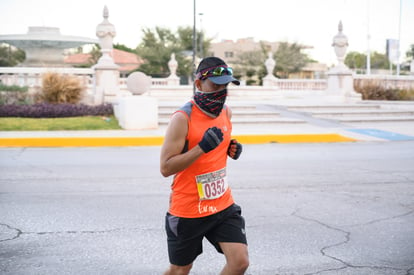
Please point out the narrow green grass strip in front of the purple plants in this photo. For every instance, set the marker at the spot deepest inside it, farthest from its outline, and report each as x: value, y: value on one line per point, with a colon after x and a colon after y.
x: 56, y: 124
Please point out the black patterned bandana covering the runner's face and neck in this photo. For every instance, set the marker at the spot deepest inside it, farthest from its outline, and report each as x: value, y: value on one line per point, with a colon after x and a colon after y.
x: 211, y: 103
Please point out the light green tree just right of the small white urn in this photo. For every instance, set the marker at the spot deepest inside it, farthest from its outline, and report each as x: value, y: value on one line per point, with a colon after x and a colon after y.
x: 289, y: 59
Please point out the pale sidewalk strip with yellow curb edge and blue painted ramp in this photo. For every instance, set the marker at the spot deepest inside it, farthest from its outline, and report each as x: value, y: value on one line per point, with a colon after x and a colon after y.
x: 247, y: 134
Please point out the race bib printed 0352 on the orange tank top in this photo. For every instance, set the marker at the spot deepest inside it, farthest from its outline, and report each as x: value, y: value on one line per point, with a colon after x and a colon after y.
x: 212, y: 185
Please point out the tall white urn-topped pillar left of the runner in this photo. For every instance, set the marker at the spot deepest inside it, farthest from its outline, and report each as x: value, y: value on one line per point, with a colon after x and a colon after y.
x: 106, y: 71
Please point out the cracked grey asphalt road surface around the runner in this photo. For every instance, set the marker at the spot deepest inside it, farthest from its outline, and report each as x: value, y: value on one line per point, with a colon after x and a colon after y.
x: 342, y: 208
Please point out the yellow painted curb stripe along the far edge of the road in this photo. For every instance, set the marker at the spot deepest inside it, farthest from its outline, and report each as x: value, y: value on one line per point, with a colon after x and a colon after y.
x: 158, y: 140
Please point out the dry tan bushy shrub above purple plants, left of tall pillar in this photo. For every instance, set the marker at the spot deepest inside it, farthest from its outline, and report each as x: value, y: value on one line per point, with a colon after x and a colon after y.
x: 58, y: 88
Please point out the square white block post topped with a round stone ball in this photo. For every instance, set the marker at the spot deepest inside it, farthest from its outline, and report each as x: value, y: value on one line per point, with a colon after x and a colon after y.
x: 137, y: 112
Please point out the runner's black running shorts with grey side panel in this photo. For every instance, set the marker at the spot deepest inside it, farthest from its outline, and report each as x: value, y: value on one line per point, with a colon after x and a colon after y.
x: 185, y: 235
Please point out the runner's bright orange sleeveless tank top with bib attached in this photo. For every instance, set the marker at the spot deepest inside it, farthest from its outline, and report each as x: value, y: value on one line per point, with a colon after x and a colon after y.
x: 202, y: 188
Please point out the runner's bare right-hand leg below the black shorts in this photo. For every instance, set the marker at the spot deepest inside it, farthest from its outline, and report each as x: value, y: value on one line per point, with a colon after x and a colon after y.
x: 237, y: 258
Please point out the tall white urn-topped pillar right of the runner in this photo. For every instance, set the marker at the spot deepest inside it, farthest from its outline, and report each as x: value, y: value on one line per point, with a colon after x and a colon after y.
x: 340, y: 79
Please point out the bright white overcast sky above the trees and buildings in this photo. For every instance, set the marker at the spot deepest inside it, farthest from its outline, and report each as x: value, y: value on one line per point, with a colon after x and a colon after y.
x: 310, y: 22
